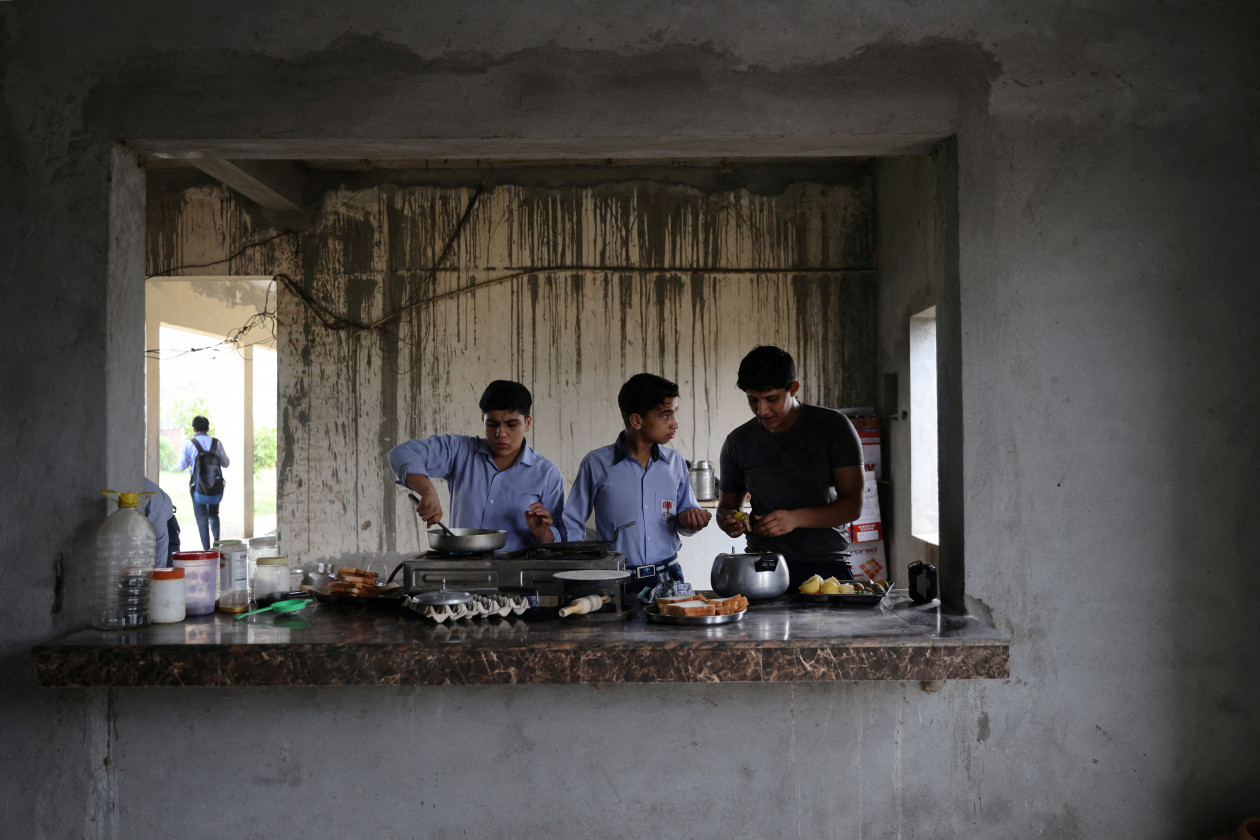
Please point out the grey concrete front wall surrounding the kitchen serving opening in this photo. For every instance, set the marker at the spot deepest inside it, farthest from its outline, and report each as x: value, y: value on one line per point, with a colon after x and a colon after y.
x: 1106, y: 213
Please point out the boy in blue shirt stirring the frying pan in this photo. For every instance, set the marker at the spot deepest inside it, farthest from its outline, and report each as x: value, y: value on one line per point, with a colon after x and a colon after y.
x: 497, y: 482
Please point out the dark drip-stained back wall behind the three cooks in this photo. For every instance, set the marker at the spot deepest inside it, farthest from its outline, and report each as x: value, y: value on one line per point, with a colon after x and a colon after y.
x: 623, y: 278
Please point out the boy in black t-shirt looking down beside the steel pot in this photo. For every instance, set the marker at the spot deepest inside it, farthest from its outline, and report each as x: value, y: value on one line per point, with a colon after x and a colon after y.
x: 803, y: 468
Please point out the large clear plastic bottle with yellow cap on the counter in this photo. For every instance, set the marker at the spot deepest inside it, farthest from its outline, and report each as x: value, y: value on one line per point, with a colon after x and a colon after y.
x: 125, y: 559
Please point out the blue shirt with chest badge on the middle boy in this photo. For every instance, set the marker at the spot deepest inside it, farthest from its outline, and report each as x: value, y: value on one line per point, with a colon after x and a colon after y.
x: 619, y: 489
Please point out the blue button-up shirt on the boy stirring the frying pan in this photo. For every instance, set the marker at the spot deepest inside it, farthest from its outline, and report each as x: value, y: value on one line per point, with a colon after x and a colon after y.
x: 482, y: 496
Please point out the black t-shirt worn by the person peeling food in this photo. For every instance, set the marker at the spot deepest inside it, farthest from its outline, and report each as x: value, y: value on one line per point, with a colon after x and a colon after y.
x: 793, y: 470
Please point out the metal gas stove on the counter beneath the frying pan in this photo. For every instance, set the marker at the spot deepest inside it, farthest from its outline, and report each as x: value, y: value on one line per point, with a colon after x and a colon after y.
x: 529, y: 569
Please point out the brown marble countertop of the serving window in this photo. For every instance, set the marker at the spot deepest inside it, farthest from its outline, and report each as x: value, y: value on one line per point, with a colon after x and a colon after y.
x: 777, y: 642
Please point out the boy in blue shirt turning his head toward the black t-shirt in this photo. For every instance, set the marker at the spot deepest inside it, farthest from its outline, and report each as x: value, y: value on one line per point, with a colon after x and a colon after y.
x: 638, y: 479
